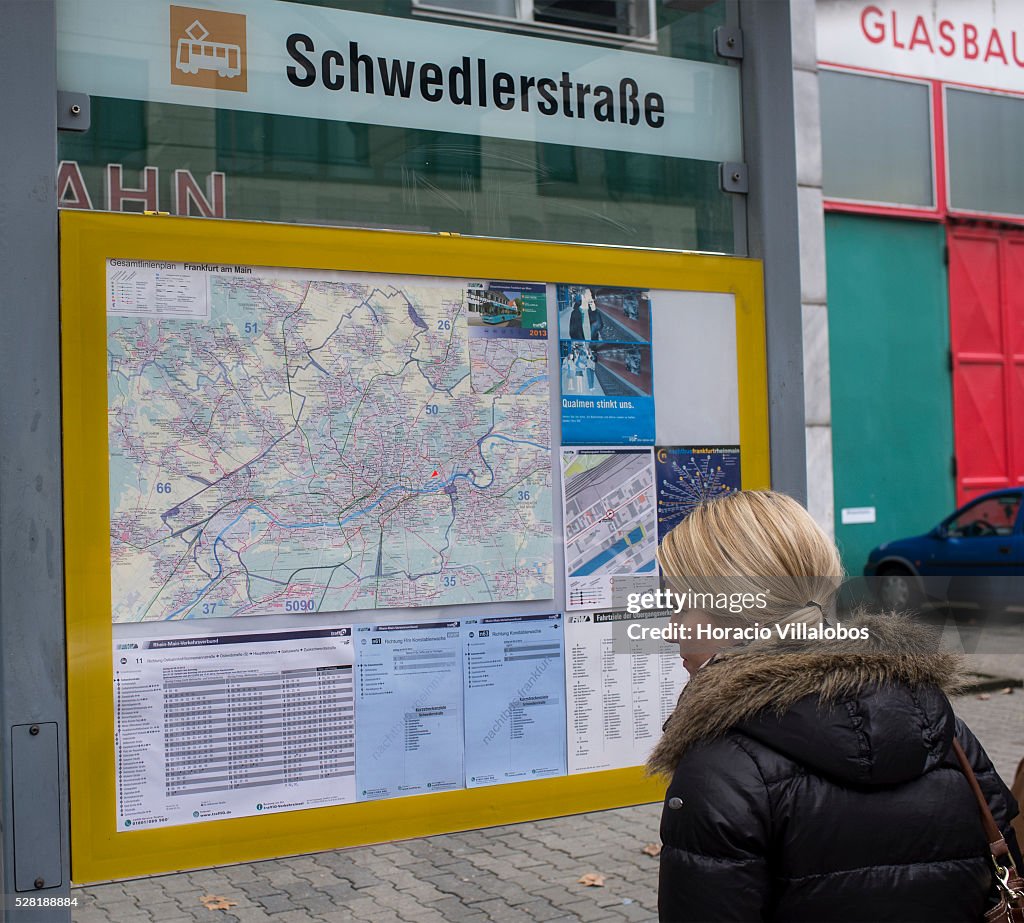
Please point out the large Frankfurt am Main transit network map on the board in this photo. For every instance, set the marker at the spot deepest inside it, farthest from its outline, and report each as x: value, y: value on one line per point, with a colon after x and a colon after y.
x: 304, y: 441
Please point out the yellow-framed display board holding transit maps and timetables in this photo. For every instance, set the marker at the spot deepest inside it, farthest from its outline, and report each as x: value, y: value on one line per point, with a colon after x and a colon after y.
x: 337, y: 567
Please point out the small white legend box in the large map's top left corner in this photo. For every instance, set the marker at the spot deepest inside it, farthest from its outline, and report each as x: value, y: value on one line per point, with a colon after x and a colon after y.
x: 140, y: 288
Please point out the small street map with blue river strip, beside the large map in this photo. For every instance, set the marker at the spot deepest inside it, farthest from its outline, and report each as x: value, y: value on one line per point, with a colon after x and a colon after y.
x: 611, y: 522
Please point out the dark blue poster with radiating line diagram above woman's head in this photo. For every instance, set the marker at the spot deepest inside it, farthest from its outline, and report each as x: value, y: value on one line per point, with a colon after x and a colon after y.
x: 691, y: 475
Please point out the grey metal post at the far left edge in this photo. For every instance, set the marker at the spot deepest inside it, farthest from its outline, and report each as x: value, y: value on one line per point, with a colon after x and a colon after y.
x: 34, y: 808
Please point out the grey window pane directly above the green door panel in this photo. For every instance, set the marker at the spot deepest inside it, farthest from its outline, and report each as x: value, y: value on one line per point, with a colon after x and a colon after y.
x: 876, y: 140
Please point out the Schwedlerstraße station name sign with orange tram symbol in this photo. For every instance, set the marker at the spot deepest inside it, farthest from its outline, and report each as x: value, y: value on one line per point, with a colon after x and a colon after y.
x: 290, y: 59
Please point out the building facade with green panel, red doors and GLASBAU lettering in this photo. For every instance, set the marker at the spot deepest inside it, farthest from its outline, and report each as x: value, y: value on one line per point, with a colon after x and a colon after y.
x: 917, y: 113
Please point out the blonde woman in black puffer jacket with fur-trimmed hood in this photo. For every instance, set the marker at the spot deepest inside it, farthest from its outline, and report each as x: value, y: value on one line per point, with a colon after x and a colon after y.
x: 810, y: 780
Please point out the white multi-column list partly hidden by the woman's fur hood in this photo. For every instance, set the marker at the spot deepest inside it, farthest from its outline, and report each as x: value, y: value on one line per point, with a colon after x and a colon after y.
x: 620, y: 692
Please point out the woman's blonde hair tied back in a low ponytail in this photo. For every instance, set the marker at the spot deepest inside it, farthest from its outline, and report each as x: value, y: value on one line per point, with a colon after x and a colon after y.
x: 756, y: 542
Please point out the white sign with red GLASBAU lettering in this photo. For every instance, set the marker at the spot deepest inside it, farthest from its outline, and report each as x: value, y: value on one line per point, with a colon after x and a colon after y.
x: 962, y: 41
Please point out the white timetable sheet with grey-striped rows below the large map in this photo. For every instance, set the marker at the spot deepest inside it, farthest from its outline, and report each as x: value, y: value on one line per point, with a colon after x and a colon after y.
x: 233, y: 725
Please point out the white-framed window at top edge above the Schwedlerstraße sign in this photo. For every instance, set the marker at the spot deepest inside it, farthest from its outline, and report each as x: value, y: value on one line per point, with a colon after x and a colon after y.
x: 628, y: 19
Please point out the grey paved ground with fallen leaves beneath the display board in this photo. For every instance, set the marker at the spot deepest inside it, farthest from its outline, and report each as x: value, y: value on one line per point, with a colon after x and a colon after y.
x: 525, y: 873
